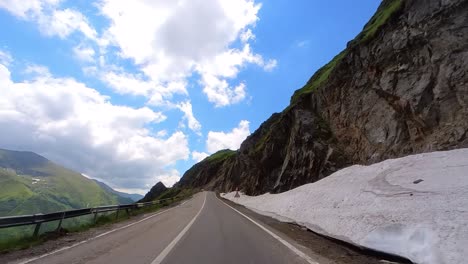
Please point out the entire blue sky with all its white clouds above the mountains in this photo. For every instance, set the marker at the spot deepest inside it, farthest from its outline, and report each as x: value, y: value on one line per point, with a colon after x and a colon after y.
x: 132, y: 92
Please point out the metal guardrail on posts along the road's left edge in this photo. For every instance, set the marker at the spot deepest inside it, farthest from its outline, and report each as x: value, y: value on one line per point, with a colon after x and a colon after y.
x: 38, y: 219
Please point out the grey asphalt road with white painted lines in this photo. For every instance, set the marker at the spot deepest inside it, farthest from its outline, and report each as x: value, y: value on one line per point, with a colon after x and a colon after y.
x: 201, y: 230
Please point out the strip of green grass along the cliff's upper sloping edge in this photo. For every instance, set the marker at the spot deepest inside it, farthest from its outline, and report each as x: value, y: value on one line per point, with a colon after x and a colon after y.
x: 387, y: 9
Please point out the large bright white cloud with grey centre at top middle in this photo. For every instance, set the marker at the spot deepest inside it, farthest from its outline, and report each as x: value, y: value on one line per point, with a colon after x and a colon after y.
x: 171, y: 49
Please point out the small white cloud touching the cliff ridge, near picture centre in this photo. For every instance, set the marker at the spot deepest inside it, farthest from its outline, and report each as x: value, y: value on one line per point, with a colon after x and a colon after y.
x: 228, y: 140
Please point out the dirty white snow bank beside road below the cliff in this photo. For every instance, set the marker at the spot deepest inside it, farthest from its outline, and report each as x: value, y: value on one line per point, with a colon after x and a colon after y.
x: 385, y: 207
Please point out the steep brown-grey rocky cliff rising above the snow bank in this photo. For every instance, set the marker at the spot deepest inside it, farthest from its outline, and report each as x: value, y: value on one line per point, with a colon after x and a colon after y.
x: 399, y: 88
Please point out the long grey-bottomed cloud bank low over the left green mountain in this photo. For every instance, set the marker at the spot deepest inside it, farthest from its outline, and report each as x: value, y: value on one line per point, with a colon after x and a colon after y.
x: 77, y: 126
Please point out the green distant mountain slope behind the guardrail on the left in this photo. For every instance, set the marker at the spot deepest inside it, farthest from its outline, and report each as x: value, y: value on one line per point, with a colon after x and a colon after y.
x: 29, y: 184
